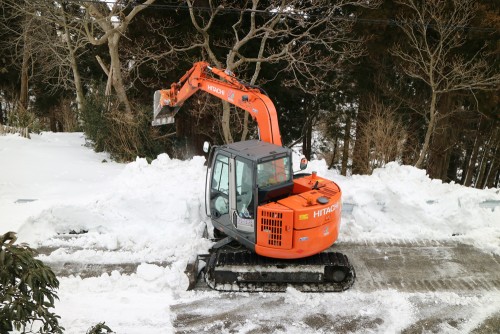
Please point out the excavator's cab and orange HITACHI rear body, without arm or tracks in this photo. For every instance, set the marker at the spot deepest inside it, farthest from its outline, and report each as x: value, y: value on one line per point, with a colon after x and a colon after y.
x: 253, y: 197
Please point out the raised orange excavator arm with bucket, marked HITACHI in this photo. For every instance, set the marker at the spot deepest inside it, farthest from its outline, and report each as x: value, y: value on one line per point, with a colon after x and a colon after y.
x: 224, y: 86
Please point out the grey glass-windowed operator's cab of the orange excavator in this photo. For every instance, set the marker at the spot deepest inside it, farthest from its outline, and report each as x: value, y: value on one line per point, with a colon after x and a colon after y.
x: 241, y: 176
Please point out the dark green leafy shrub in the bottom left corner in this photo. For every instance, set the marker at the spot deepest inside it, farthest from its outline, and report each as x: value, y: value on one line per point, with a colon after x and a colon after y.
x: 27, y: 290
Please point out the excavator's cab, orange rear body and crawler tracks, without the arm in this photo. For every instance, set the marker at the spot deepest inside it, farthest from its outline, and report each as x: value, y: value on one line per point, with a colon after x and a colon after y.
x: 252, y: 197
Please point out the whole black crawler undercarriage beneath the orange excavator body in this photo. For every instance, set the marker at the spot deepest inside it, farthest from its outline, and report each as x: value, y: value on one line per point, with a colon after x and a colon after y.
x: 229, y: 270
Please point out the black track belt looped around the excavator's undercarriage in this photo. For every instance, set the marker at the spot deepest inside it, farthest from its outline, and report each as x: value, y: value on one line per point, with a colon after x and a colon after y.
x: 248, y: 259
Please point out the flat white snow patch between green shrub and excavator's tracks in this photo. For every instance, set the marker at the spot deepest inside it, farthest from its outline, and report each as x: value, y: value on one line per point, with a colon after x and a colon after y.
x: 136, y: 303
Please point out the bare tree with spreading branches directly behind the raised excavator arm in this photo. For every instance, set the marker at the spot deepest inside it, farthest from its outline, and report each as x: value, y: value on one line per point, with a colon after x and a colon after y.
x: 308, y: 40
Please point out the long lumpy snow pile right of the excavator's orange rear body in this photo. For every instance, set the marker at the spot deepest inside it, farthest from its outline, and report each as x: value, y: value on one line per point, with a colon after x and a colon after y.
x: 402, y: 202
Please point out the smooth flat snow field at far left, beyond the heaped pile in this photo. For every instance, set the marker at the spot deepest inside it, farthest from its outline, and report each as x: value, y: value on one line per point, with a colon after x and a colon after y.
x: 49, y: 169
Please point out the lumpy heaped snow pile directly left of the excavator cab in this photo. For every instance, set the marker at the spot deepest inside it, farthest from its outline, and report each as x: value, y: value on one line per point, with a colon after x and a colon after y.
x: 148, y: 212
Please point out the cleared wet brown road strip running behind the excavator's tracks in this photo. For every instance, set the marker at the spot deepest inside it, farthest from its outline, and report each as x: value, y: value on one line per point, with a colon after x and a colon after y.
x: 404, y: 265
